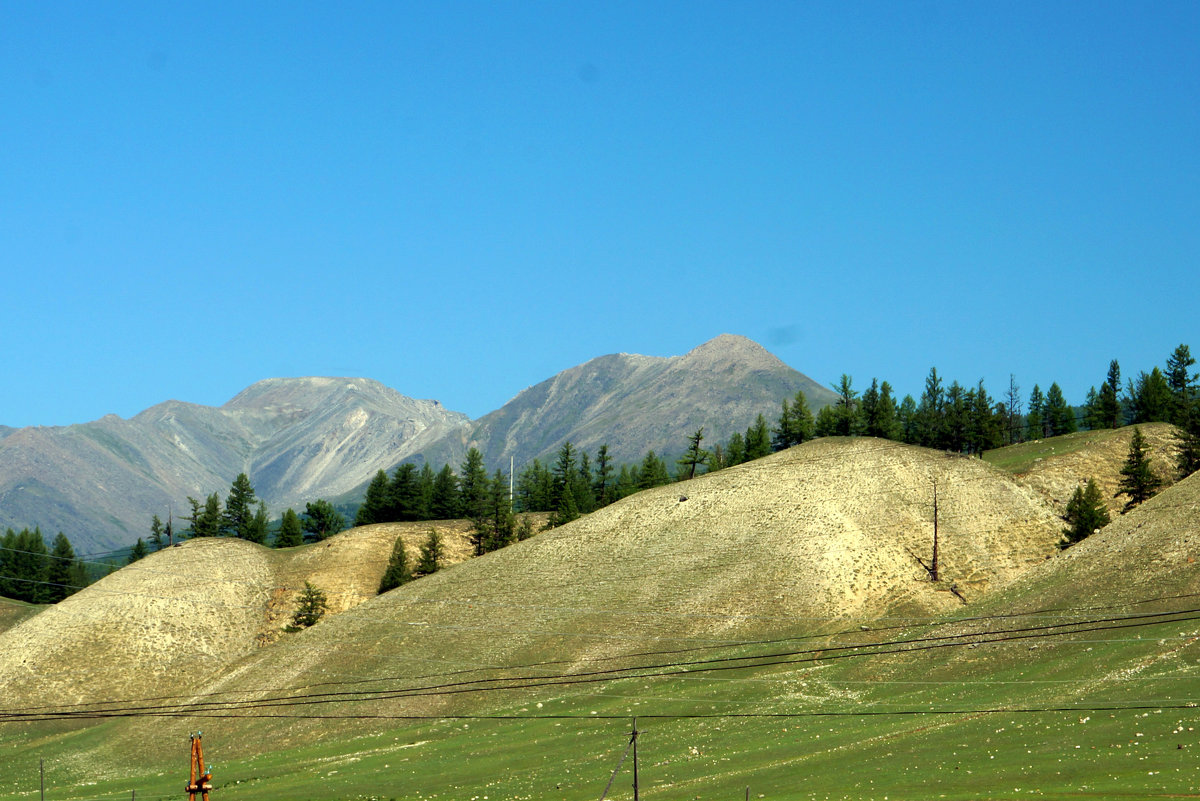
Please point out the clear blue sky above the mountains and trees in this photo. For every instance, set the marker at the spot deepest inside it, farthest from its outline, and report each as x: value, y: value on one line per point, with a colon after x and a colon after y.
x: 461, y: 200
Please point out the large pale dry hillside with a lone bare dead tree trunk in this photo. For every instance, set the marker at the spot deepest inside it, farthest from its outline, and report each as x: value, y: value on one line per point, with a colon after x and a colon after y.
x: 802, y: 541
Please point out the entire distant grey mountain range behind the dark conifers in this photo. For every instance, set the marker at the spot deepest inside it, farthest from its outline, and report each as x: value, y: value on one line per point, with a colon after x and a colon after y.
x: 307, y: 438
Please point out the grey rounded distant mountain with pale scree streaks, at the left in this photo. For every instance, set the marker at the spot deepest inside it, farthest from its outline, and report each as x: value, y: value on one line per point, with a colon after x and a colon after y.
x: 298, y: 439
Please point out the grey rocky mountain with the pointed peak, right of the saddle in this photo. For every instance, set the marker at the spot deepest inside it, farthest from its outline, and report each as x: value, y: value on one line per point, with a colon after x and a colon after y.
x: 637, y: 403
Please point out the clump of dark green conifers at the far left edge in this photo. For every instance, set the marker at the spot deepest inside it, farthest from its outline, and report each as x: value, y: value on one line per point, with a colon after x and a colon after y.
x: 32, y: 573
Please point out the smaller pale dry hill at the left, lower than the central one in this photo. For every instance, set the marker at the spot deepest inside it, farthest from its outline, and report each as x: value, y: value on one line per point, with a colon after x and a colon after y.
x: 181, y: 617
